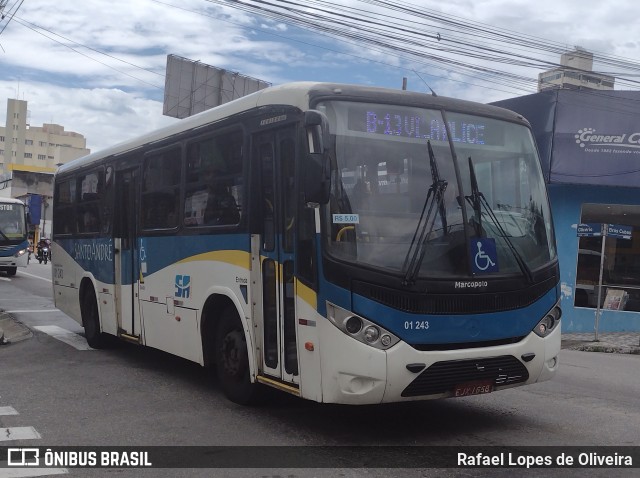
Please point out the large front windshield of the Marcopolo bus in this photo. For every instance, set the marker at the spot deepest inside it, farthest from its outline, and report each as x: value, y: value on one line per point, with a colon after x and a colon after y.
x: 414, y: 187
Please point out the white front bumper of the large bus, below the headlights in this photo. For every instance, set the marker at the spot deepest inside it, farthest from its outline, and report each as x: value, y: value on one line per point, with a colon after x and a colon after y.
x: 355, y: 373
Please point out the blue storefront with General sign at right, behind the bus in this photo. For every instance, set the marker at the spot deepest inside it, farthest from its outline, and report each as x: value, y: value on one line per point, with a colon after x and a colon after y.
x: 589, y: 144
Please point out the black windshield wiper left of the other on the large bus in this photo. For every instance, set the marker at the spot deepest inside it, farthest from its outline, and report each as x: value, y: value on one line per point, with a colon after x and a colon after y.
x: 426, y: 223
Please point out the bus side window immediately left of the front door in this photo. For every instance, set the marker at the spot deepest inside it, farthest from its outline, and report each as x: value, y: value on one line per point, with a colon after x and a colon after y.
x: 214, y: 181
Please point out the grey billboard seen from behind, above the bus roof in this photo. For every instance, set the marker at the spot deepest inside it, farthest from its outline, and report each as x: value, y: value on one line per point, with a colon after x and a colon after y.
x: 192, y: 87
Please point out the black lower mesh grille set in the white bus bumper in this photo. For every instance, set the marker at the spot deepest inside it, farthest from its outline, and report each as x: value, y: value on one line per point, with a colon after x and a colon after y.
x: 442, y: 377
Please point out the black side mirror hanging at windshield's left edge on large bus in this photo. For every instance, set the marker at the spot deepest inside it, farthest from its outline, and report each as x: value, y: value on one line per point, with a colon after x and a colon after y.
x: 317, y: 166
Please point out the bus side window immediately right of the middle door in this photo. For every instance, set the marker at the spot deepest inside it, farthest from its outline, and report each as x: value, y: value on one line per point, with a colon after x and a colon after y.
x: 161, y: 189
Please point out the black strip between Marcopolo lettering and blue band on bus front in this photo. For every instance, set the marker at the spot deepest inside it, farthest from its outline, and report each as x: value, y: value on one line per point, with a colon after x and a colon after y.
x: 448, y: 304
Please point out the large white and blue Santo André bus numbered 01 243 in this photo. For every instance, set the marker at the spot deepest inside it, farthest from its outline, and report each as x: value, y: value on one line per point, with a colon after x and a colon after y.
x: 341, y: 243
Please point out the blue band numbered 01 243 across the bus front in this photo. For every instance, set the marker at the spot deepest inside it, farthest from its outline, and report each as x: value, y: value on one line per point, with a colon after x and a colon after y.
x: 437, y: 329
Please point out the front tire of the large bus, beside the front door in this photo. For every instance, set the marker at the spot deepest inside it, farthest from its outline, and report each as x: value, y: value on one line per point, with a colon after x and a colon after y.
x: 232, y: 360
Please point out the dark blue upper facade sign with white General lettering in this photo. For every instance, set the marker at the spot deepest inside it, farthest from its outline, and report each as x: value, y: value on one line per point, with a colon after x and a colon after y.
x: 585, y: 136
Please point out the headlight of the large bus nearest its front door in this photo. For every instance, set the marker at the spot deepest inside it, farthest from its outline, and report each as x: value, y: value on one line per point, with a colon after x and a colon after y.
x: 360, y: 328
